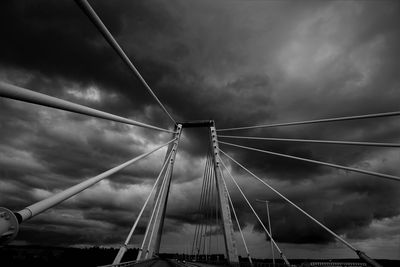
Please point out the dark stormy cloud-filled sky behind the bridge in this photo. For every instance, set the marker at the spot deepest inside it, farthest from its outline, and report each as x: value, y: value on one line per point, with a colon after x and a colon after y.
x: 239, y: 63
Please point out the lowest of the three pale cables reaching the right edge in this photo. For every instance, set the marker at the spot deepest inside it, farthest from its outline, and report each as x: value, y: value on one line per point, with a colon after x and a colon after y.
x: 387, y: 176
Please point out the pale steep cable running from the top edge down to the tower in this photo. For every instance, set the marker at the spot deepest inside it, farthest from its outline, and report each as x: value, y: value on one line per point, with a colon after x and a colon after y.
x: 88, y: 10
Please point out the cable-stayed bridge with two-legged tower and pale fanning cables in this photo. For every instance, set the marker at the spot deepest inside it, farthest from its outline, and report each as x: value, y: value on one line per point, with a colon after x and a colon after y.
x: 216, y: 205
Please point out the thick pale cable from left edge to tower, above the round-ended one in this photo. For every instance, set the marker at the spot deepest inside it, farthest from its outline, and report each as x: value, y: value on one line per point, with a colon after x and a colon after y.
x: 22, y: 94
